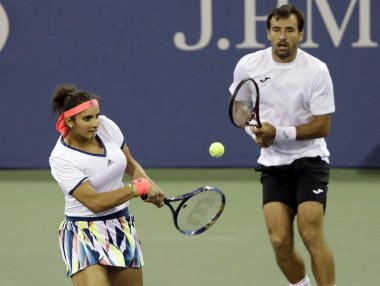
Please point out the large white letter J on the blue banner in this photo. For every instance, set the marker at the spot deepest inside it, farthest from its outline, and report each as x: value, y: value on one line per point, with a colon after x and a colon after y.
x: 206, y: 30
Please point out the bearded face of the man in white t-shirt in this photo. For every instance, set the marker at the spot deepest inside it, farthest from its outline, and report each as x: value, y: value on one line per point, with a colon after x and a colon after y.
x: 284, y: 36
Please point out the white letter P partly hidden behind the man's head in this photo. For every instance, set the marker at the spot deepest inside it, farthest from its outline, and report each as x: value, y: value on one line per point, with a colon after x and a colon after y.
x: 250, y: 19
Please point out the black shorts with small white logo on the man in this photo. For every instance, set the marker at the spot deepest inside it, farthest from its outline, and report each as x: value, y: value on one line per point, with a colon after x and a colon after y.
x: 306, y: 179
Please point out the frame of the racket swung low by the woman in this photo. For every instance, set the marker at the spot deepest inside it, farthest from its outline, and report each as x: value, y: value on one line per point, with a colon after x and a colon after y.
x: 183, y: 199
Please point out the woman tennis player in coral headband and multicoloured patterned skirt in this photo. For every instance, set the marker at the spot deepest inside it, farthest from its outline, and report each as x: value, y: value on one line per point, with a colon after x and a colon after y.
x: 98, y: 240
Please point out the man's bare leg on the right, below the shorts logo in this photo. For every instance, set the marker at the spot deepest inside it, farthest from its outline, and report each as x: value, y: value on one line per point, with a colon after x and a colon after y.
x: 310, y: 226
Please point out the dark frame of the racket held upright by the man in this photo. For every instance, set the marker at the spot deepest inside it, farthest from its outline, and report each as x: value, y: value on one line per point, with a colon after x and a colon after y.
x: 255, y: 113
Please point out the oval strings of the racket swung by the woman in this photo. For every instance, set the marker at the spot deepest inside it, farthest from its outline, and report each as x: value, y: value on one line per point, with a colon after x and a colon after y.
x: 200, y: 211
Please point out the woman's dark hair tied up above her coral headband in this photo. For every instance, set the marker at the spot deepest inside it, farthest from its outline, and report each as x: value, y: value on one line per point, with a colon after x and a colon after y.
x: 66, y: 96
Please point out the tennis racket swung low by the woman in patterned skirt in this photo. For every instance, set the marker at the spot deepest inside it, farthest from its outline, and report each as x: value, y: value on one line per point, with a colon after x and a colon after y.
x: 197, y: 211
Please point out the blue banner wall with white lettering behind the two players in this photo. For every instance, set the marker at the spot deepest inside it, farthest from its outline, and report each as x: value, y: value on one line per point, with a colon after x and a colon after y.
x: 163, y: 68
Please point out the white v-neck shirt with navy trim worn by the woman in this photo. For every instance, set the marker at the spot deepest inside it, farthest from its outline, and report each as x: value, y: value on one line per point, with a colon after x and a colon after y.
x: 70, y: 167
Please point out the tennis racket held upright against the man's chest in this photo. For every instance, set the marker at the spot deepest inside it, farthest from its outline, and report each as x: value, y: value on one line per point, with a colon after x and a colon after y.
x: 244, y: 104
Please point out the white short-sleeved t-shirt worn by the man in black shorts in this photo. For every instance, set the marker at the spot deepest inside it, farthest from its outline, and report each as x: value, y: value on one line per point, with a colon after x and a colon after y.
x: 290, y: 94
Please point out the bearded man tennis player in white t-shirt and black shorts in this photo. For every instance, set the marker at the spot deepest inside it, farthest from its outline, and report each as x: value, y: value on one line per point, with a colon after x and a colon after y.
x: 296, y: 101
